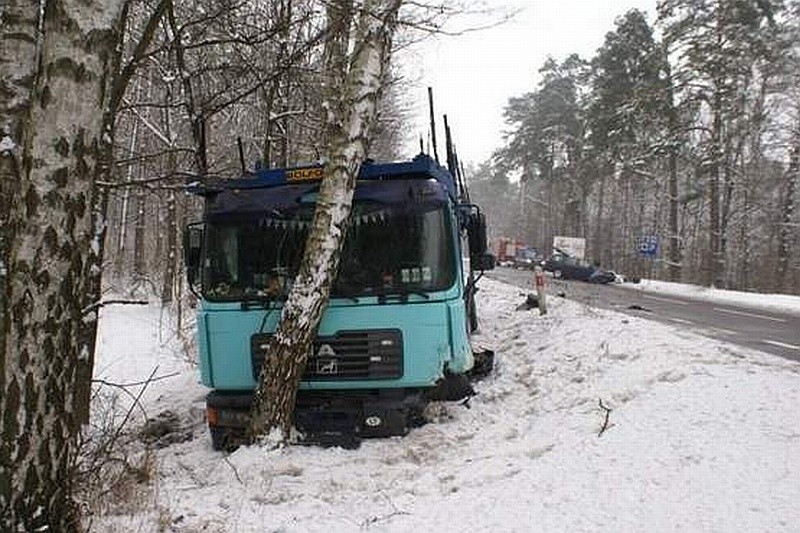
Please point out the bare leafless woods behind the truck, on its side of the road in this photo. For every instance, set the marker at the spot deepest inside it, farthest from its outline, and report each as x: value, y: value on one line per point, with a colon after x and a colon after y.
x: 212, y: 87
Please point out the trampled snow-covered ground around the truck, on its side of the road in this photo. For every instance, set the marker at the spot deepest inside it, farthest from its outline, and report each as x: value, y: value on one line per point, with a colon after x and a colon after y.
x: 701, y: 436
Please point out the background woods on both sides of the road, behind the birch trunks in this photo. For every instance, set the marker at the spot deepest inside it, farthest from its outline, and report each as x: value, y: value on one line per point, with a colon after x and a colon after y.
x: 687, y: 129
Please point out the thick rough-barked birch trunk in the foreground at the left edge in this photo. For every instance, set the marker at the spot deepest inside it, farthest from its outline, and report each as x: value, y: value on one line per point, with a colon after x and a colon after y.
x: 51, y: 150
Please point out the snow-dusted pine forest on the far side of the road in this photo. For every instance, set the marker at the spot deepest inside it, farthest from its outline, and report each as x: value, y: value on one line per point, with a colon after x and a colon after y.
x: 688, y: 129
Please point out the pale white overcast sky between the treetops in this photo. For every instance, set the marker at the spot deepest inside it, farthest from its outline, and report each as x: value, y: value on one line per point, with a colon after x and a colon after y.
x: 473, y: 75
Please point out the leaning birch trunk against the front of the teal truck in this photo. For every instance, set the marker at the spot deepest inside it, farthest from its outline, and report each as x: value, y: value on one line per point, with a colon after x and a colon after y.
x: 355, y: 81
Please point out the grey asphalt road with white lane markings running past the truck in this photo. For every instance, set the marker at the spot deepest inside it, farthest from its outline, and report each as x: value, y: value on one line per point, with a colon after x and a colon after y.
x: 773, y: 332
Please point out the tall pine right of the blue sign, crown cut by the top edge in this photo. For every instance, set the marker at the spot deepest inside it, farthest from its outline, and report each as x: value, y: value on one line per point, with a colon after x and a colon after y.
x: 718, y: 45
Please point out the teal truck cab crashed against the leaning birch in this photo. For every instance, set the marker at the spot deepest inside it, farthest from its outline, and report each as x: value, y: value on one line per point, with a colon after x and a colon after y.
x: 395, y: 333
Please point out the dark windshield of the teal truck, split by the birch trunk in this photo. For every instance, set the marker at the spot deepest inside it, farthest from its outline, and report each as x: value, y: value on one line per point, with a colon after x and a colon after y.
x: 389, y: 249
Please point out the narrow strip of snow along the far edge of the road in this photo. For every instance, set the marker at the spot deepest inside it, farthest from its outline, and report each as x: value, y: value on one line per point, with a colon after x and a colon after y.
x: 785, y: 303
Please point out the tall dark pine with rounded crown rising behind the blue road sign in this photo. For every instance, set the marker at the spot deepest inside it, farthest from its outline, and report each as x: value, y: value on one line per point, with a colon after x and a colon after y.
x: 629, y: 120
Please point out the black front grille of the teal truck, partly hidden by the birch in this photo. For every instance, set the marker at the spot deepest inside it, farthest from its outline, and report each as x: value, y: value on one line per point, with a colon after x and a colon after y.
x: 368, y: 354
